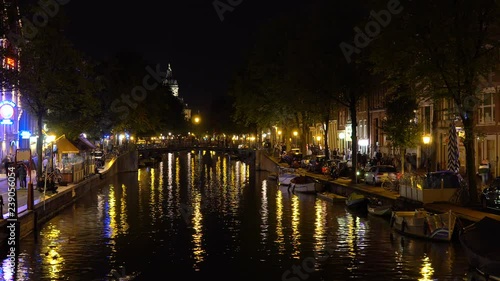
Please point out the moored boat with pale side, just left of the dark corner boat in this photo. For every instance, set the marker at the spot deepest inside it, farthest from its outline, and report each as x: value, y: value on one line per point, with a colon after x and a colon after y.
x: 423, y: 224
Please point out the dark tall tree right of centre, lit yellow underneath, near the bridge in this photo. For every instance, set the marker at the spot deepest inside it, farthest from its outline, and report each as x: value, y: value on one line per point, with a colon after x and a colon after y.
x: 262, y: 97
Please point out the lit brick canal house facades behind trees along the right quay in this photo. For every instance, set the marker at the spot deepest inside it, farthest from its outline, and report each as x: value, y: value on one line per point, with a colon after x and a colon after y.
x: 435, y: 117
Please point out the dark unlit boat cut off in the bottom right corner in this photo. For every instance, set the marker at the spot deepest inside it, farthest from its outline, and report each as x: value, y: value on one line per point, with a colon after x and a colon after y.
x: 479, y: 241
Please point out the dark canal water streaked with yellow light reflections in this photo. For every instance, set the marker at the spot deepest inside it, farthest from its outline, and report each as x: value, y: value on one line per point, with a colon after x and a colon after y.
x: 180, y: 221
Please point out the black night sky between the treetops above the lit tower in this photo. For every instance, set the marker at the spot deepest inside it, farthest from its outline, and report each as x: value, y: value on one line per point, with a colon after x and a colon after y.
x: 202, y: 50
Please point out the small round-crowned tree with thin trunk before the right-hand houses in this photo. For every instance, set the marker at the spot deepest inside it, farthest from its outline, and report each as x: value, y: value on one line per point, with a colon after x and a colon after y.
x: 401, y: 127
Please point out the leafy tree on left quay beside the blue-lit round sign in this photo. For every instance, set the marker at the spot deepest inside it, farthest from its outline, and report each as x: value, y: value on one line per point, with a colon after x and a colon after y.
x: 50, y: 76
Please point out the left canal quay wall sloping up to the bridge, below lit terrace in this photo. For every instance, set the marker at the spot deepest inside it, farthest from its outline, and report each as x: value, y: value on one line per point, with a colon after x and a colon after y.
x: 44, y: 210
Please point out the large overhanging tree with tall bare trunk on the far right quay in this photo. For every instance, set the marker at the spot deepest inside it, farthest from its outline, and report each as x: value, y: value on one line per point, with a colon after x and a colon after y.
x: 448, y: 47
